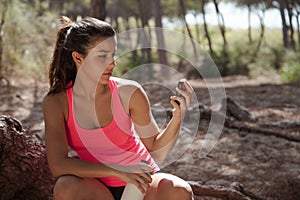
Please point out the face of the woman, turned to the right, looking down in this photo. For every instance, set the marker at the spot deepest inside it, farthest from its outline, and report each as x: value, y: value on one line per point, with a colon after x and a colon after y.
x: 100, y: 60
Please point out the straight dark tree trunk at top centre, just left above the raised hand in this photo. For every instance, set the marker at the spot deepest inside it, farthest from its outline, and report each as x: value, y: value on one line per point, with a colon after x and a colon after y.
x: 157, y: 11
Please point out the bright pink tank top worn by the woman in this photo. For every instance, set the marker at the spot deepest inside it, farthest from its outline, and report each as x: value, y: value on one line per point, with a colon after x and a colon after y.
x: 116, y: 143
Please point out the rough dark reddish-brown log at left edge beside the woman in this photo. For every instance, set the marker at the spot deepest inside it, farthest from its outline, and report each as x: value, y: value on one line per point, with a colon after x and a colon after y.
x: 24, y: 172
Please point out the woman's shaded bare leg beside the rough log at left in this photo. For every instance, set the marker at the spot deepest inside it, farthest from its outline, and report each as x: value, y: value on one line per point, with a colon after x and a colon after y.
x: 72, y: 187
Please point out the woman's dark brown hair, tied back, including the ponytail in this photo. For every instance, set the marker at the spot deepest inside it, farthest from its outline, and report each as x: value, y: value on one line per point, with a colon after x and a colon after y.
x: 73, y: 36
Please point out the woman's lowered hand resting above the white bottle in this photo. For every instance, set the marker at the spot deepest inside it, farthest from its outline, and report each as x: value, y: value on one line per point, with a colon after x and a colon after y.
x: 139, y: 175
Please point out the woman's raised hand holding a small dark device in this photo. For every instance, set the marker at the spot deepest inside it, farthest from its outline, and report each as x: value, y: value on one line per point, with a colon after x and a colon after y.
x: 184, y: 102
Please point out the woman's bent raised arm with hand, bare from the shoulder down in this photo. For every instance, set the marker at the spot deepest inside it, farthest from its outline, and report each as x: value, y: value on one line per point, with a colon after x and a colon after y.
x: 158, y: 143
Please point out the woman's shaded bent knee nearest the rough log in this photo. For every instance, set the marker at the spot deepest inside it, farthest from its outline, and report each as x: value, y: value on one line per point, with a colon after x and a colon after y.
x: 65, y: 187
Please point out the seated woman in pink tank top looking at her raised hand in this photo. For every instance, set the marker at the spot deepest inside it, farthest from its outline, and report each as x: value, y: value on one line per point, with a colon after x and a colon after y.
x: 110, y: 153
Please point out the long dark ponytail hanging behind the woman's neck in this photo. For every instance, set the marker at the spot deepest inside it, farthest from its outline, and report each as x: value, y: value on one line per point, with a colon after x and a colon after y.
x: 62, y: 68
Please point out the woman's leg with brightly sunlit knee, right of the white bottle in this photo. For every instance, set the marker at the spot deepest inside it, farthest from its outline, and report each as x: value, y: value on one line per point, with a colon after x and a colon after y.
x: 167, y: 186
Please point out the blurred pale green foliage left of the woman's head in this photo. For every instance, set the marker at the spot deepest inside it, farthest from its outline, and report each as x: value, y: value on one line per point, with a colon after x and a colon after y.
x: 26, y: 40
